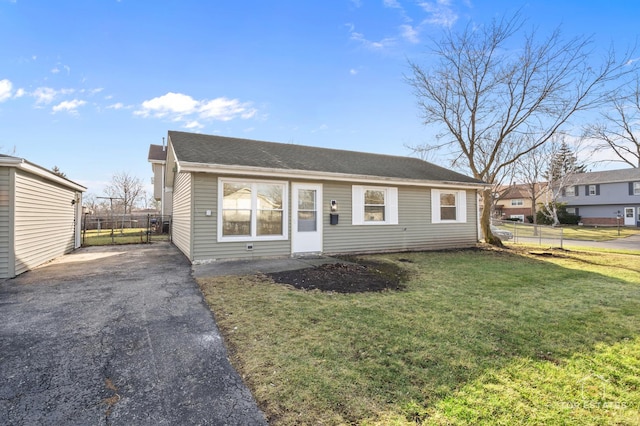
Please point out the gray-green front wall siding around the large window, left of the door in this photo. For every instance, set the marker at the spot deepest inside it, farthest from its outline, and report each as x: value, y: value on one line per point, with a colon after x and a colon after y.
x: 206, y: 245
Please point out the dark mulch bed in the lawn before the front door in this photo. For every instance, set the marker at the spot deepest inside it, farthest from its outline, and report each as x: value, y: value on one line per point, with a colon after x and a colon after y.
x: 345, y: 277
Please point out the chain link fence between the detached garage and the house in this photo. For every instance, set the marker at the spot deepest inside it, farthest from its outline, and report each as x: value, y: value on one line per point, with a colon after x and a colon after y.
x: 125, y: 229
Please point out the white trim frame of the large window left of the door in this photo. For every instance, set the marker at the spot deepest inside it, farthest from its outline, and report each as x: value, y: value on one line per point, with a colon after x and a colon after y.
x: 254, y: 237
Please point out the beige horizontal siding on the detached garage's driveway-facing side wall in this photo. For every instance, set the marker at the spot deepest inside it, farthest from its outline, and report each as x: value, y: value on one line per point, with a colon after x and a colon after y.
x: 44, y: 221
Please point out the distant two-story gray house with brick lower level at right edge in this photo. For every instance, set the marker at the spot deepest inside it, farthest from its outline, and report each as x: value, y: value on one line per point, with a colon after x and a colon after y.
x: 604, y: 198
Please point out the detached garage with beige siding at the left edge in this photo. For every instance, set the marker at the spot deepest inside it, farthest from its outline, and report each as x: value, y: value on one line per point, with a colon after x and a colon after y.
x: 40, y: 215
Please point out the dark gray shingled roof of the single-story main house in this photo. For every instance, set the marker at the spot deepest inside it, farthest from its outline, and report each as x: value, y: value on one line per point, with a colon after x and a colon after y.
x: 219, y: 150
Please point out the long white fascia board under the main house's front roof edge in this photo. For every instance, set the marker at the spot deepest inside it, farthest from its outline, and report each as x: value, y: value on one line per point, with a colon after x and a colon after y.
x: 315, y: 175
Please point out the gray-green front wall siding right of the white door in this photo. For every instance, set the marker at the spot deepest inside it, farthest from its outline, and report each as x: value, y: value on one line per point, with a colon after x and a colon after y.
x: 413, y: 232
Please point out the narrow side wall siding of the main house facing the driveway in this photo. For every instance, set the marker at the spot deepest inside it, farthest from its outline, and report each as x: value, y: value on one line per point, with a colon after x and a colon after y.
x: 182, y: 219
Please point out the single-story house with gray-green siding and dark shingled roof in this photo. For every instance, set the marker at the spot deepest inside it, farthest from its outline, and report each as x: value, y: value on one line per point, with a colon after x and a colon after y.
x: 238, y: 198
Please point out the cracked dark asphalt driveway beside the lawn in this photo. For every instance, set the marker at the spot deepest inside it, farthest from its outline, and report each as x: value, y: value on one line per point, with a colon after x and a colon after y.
x: 115, y: 335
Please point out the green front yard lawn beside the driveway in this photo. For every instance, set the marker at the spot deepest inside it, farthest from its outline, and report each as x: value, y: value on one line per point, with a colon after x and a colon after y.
x: 477, y: 337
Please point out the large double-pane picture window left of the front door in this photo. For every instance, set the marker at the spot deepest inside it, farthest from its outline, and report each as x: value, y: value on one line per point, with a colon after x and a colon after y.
x: 251, y: 210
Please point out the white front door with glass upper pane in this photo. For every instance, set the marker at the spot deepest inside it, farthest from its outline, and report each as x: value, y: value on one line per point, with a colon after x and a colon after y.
x: 306, y: 218
